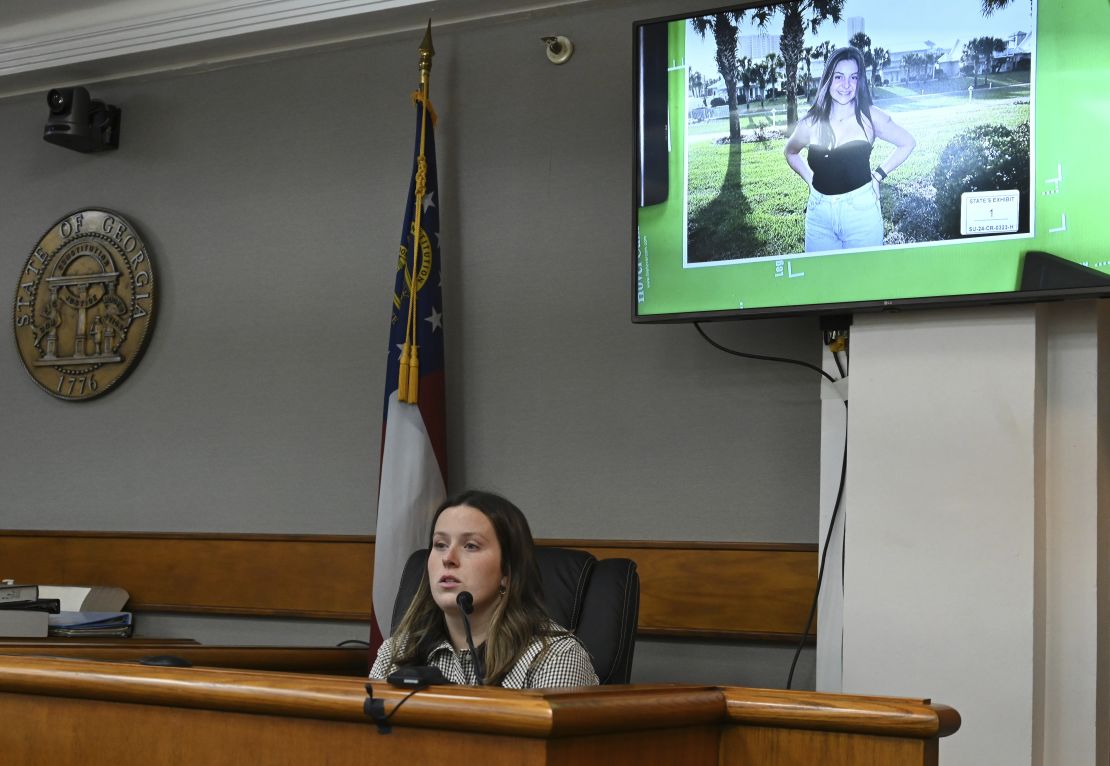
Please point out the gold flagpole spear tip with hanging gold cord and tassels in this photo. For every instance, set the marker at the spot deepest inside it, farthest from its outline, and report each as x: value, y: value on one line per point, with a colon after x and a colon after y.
x: 409, y: 379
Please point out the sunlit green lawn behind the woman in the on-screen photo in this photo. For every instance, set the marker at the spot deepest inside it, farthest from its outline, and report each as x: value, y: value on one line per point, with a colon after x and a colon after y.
x: 776, y: 197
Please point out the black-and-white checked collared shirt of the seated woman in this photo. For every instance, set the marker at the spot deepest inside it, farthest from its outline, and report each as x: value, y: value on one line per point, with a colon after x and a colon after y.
x: 564, y: 662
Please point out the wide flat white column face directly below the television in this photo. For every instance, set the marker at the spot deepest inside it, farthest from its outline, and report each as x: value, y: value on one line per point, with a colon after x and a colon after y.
x: 940, y: 571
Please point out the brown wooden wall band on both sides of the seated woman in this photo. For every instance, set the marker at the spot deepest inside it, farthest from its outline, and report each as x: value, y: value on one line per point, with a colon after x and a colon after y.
x: 700, y: 590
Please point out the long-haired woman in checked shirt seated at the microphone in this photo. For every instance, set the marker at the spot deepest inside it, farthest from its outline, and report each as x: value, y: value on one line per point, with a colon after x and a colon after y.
x: 481, y: 546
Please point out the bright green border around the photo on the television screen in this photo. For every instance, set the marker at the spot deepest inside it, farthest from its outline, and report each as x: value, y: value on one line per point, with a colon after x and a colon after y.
x: 1072, y: 119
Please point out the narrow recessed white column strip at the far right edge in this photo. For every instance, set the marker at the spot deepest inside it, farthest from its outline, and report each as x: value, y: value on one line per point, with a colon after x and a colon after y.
x: 1071, y: 715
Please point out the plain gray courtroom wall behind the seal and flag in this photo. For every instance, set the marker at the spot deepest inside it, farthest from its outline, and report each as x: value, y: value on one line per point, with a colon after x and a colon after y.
x: 271, y: 194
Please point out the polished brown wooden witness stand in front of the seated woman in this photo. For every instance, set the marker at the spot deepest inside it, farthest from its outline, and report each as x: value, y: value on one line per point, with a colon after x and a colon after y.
x: 76, y: 712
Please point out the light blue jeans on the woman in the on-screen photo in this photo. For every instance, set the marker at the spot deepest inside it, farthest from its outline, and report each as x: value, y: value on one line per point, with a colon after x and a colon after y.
x: 841, y: 221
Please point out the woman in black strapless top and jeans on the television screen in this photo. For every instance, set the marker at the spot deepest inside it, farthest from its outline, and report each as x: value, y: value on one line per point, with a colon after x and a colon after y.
x: 840, y: 133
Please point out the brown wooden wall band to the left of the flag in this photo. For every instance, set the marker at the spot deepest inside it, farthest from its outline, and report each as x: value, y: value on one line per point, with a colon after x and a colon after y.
x: 320, y: 577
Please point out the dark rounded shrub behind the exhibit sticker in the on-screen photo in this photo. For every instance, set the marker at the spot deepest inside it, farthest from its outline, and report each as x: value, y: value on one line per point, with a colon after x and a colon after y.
x: 987, y: 158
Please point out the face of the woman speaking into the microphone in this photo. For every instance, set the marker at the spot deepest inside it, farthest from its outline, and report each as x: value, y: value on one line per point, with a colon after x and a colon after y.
x: 466, y: 557
